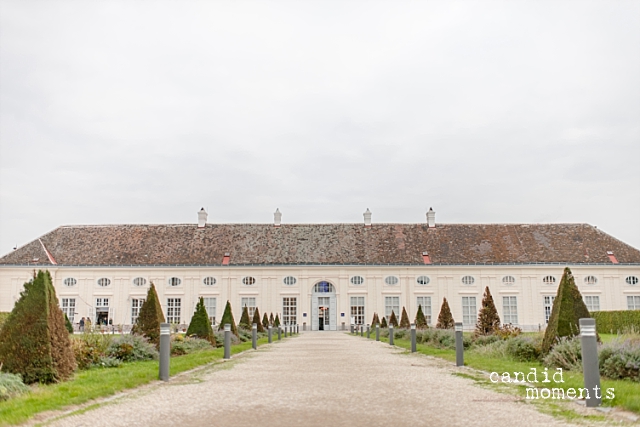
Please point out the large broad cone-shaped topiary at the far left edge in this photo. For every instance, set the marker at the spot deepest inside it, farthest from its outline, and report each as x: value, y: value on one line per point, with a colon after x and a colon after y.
x: 34, y: 341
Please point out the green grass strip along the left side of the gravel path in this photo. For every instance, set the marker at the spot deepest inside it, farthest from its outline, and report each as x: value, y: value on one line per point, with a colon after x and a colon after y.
x: 97, y: 383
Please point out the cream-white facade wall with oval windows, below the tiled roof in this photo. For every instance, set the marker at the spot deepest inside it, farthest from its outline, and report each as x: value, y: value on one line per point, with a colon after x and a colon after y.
x: 82, y: 293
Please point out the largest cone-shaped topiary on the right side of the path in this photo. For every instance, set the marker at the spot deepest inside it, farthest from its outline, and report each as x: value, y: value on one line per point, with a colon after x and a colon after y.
x: 568, y: 309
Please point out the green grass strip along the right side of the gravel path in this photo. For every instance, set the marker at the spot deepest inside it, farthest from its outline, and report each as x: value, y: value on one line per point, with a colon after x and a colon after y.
x: 627, y: 393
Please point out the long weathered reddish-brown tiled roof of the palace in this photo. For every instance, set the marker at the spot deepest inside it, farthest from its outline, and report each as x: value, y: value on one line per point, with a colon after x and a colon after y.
x: 264, y: 244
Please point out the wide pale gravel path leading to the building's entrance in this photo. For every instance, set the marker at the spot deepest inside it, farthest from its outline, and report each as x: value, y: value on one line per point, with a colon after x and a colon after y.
x: 317, y: 379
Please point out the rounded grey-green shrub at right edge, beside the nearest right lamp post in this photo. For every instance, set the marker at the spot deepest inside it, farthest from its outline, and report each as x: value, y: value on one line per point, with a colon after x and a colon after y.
x: 620, y: 359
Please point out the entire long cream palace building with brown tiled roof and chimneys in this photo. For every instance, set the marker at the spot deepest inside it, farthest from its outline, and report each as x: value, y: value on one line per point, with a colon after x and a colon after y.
x: 325, y: 276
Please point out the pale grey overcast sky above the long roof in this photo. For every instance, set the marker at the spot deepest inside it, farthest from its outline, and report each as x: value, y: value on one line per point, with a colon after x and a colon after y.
x: 491, y: 112
